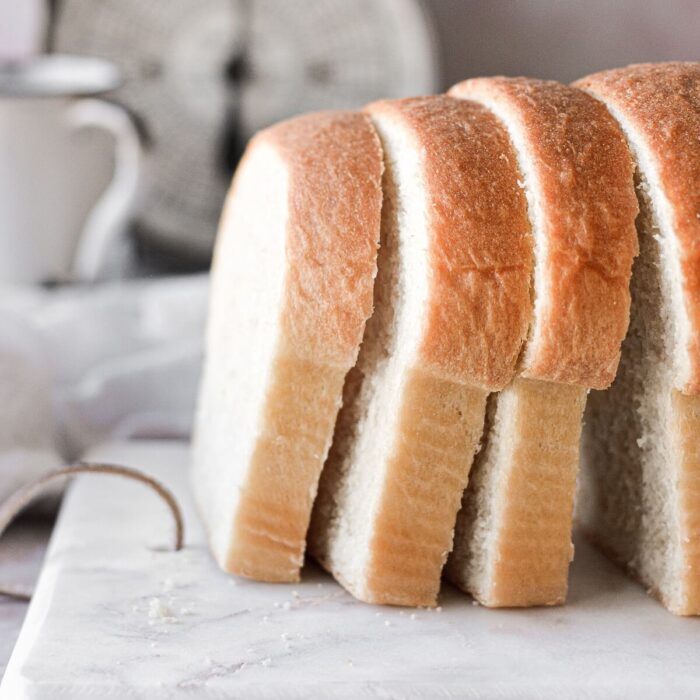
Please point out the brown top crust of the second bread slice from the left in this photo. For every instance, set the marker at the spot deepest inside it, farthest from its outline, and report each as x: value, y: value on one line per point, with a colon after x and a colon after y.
x: 480, y: 246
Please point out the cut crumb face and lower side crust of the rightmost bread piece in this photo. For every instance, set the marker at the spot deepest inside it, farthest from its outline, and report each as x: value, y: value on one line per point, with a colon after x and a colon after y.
x: 638, y: 488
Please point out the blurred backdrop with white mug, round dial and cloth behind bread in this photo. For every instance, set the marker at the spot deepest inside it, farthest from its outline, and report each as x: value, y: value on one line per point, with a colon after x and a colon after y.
x: 121, y: 122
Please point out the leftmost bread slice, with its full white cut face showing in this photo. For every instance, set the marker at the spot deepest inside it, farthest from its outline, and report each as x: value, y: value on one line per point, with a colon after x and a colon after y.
x: 291, y: 289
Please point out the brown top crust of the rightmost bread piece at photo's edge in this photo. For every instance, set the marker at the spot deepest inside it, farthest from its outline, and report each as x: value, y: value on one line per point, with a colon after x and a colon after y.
x: 662, y: 103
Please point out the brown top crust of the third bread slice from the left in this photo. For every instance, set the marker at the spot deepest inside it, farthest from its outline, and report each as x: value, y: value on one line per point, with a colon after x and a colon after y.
x: 583, y: 173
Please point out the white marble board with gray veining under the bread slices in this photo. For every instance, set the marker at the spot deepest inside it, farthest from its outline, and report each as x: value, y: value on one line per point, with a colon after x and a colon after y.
x: 118, y: 615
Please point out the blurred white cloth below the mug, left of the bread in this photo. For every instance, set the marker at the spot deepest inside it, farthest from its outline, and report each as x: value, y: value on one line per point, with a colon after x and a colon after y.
x: 83, y: 364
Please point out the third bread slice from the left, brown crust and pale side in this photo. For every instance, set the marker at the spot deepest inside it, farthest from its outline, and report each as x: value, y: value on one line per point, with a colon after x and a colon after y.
x: 513, y: 535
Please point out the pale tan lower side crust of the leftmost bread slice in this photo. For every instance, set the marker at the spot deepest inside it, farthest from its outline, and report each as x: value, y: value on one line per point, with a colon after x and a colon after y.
x: 272, y: 517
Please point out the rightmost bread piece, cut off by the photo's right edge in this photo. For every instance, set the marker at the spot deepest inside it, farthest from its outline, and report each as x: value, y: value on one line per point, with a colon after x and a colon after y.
x: 640, y: 486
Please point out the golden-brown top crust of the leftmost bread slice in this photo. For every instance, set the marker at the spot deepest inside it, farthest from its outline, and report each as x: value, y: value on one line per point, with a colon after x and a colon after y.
x: 335, y: 167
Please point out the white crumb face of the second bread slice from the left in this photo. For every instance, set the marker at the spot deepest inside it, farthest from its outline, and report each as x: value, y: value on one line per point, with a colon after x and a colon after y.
x: 351, y: 483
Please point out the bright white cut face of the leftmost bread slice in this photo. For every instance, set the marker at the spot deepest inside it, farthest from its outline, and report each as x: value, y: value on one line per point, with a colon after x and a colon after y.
x: 242, y: 336
